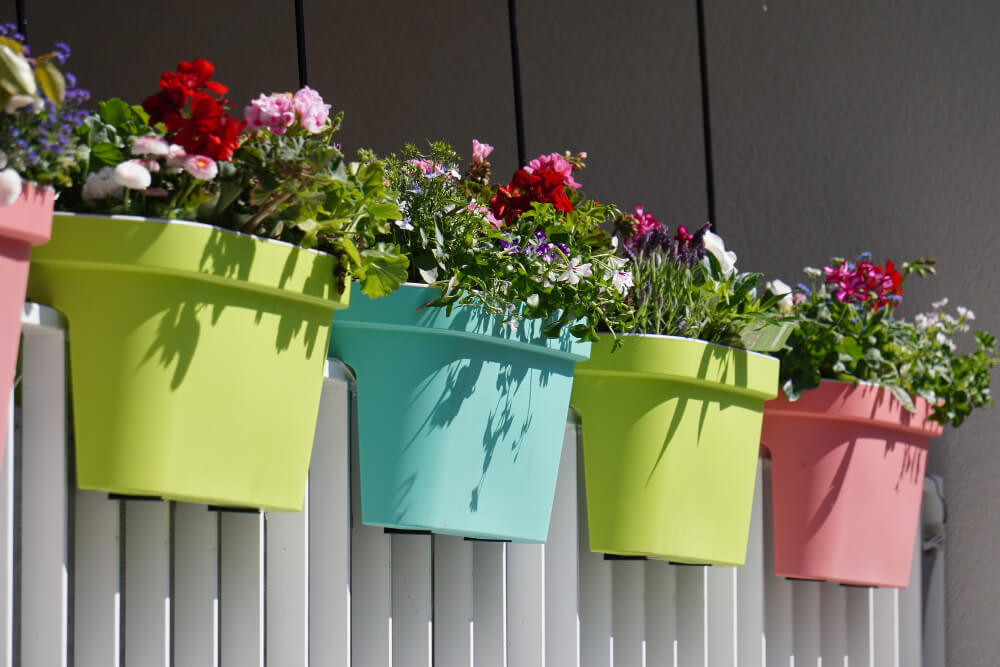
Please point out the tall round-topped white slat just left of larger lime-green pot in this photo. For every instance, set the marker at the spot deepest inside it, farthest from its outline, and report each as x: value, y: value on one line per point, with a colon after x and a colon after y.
x: 44, y: 554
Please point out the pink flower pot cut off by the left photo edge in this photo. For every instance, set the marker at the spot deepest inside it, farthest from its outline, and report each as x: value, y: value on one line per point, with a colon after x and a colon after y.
x: 25, y: 223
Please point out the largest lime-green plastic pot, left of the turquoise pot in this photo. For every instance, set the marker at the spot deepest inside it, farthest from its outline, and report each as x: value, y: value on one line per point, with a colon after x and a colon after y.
x: 196, y: 357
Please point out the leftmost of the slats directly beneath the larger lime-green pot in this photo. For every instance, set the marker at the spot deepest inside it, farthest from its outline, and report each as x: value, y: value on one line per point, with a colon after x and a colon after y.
x: 96, y: 581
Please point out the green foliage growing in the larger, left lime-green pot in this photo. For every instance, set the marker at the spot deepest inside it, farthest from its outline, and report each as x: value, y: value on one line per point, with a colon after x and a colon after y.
x: 294, y: 187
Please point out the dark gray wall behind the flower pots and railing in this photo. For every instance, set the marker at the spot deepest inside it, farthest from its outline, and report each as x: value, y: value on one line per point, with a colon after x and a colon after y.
x: 838, y: 126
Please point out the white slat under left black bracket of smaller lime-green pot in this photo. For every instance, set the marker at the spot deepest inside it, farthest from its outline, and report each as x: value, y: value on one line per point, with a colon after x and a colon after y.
x: 628, y: 612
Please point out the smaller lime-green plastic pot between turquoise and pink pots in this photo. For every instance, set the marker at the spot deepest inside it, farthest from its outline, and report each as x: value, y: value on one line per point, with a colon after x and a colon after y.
x: 671, y: 435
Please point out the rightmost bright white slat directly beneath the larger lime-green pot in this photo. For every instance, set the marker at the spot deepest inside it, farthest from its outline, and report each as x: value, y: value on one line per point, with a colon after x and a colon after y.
x: 286, y: 588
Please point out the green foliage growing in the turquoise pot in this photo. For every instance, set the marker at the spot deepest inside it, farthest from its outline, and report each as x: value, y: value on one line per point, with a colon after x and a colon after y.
x: 515, y: 272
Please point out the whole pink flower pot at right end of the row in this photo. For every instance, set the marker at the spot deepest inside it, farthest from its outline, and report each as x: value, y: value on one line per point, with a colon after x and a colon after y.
x: 847, y: 473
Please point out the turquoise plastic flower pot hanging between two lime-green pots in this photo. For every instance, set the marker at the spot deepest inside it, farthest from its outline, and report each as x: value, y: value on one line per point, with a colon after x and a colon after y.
x: 460, y: 420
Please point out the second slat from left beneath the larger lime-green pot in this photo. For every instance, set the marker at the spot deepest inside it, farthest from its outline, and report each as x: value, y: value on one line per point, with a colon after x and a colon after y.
x: 147, y: 583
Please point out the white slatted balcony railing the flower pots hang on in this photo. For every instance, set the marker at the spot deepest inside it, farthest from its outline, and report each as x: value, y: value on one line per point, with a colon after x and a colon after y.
x: 94, y: 582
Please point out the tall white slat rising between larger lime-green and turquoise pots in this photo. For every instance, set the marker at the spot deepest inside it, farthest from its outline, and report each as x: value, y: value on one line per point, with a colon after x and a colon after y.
x: 330, y: 528
